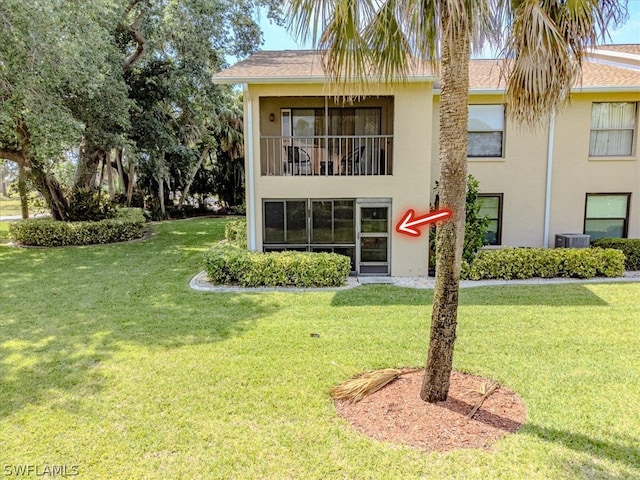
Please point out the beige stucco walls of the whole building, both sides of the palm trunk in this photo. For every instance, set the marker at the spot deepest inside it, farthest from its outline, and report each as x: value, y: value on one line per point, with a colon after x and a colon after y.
x: 521, y: 175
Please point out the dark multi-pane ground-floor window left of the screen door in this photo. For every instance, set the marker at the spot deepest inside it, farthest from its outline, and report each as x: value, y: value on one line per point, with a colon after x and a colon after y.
x: 331, y: 227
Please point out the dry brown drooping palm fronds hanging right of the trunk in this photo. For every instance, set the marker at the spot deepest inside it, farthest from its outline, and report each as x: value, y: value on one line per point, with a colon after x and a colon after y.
x: 545, y: 48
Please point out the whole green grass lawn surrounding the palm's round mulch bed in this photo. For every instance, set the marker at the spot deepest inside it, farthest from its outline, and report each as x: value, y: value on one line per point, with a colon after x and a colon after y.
x: 111, y: 364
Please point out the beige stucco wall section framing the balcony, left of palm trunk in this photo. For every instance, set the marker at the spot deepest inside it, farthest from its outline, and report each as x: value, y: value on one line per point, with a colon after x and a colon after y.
x: 408, y: 187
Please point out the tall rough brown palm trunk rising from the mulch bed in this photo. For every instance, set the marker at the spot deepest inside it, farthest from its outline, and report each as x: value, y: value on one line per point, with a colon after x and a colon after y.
x: 454, y: 77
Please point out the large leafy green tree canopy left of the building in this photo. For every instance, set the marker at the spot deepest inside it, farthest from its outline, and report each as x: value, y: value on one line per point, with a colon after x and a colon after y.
x: 125, y: 84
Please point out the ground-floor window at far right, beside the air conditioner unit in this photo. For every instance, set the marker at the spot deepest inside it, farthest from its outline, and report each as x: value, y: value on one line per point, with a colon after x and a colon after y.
x: 607, y: 215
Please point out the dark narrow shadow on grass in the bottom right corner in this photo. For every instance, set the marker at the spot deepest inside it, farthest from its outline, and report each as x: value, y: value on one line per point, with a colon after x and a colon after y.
x: 623, y: 450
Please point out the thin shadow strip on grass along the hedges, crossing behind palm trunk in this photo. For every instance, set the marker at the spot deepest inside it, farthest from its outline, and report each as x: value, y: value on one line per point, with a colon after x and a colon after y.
x: 543, y: 295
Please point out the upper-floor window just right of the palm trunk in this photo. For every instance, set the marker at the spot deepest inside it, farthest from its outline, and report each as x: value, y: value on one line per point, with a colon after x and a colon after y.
x: 485, y: 129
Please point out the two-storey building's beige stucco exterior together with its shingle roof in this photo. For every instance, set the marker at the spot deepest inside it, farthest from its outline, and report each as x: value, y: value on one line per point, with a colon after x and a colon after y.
x: 543, y: 176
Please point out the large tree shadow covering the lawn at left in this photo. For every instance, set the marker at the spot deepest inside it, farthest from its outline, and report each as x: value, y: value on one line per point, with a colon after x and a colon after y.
x: 67, y: 311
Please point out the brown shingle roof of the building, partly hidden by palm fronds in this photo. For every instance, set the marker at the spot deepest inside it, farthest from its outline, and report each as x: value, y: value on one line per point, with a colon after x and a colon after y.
x: 599, y: 71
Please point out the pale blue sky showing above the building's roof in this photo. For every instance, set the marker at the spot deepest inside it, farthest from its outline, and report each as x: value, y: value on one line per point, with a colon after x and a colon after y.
x: 278, y: 38
